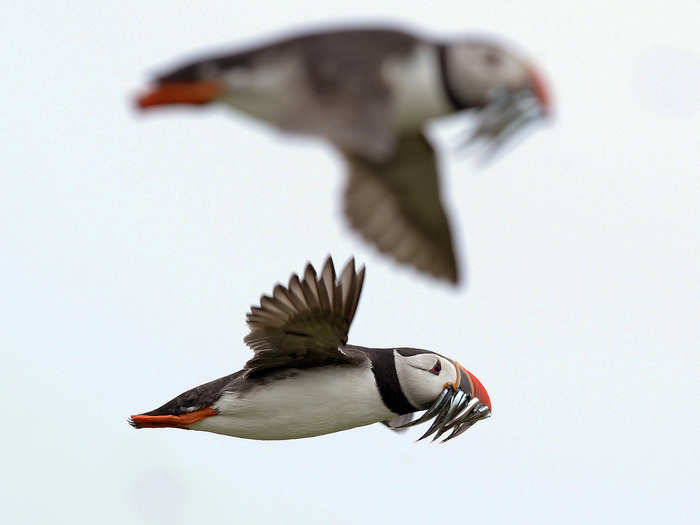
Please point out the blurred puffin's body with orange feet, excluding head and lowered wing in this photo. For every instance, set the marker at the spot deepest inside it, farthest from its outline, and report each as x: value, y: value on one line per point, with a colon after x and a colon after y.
x: 358, y: 88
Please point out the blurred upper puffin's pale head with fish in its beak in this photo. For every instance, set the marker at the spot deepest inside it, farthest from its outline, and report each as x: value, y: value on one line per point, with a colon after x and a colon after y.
x: 504, y: 87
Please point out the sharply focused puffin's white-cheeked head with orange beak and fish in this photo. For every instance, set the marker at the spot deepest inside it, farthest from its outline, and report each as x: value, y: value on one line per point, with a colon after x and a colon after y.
x: 444, y: 388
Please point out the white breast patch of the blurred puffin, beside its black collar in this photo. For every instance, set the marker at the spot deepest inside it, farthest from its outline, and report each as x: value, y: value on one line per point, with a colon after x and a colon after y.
x: 417, y: 88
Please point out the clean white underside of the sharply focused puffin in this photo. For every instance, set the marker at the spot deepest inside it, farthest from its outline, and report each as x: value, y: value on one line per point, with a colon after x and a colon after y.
x: 313, y: 402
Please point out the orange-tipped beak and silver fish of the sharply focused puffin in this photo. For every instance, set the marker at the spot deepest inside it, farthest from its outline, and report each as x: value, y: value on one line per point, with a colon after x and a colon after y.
x: 457, y: 408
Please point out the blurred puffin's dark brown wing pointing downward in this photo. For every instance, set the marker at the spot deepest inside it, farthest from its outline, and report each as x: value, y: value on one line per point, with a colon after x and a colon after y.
x: 396, y: 206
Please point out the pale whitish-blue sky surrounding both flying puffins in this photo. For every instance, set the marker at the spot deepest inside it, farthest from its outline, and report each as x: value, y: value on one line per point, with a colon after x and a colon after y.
x: 131, y: 247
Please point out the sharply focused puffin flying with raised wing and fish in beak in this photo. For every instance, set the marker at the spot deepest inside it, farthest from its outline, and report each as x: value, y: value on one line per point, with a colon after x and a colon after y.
x: 305, y: 380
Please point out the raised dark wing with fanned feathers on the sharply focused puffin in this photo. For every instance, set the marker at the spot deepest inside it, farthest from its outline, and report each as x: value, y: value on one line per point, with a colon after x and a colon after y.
x: 304, y: 324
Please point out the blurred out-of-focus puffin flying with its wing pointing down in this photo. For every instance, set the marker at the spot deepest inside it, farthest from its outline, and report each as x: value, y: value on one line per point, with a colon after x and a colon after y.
x: 370, y: 92
